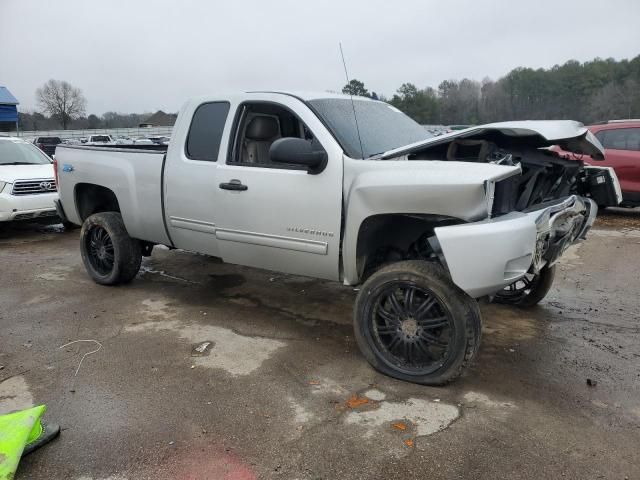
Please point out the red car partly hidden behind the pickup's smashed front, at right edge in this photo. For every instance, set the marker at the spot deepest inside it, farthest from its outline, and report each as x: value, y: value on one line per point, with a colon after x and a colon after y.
x: 621, y: 141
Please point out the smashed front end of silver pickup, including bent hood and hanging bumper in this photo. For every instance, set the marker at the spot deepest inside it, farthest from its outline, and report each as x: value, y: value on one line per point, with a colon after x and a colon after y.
x: 534, y: 215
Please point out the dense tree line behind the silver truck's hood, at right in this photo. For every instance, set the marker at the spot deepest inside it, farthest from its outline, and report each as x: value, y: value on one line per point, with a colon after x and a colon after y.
x: 593, y: 91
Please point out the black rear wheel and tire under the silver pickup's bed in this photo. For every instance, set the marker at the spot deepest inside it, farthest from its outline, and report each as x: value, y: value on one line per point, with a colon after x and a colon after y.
x: 109, y: 254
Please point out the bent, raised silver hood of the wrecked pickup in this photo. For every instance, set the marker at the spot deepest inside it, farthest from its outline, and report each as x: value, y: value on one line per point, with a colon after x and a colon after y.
x: 568, y: 134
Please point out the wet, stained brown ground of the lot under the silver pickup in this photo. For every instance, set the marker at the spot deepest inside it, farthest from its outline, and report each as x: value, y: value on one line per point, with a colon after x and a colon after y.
x: 281, y: 391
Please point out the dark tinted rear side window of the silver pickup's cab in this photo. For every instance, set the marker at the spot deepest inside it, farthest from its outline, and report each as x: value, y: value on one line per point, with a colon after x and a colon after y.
x: 205, y: 133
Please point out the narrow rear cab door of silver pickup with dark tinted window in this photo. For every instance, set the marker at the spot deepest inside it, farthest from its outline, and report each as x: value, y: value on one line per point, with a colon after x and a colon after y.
x: 189, y: 181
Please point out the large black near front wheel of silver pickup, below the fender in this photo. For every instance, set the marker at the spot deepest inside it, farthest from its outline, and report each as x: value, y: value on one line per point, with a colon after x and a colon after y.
x: 413, y: 323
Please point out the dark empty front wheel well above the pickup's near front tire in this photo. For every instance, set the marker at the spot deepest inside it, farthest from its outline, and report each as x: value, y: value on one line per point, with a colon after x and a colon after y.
x: 394, y: 237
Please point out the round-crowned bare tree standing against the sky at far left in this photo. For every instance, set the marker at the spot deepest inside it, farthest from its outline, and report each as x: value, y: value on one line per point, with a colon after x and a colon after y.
x: 61, y: 100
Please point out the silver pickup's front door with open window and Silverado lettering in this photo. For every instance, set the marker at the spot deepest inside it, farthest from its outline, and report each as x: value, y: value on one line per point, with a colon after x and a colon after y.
x: 278, y: 216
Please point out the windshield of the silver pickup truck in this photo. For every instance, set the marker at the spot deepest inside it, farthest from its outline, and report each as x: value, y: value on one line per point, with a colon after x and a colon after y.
x: 382, y: 126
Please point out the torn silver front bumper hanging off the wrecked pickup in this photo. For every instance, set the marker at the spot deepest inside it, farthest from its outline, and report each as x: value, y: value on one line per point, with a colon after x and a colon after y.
x: 484, y: 257
